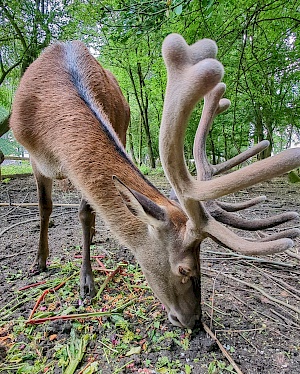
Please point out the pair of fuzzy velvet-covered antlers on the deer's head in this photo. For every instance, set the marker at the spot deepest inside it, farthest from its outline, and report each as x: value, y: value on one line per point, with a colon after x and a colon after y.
x: 193, y: 73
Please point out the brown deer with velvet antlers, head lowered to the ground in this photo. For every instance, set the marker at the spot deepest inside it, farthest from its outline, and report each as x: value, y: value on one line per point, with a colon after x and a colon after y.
x: 70, y: 114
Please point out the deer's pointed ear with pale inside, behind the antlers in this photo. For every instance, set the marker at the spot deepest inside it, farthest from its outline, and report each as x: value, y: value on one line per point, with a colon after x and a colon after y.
x: 140, y: 205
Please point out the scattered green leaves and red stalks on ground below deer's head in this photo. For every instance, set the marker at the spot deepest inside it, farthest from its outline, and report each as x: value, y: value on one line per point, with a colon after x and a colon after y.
x: 115, y: 331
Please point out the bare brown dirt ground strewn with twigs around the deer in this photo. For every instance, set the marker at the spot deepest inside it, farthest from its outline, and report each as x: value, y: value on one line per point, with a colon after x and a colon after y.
x: 256, y: 320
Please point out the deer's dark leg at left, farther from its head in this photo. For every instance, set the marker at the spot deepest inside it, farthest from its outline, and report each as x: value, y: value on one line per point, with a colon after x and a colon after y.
x: 44, y: 187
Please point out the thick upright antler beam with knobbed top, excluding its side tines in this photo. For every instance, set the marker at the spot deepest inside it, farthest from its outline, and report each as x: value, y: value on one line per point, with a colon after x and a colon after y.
x: 192, y: 73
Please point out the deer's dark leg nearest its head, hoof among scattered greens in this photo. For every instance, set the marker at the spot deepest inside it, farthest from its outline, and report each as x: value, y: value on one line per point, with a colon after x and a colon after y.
x: 87, y: 219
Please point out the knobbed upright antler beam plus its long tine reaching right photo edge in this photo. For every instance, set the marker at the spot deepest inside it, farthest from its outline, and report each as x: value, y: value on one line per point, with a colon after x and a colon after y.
x: 193, y: 73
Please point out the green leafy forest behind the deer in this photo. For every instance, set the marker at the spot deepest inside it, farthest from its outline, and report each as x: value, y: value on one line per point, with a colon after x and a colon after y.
x: 258, y: 44
